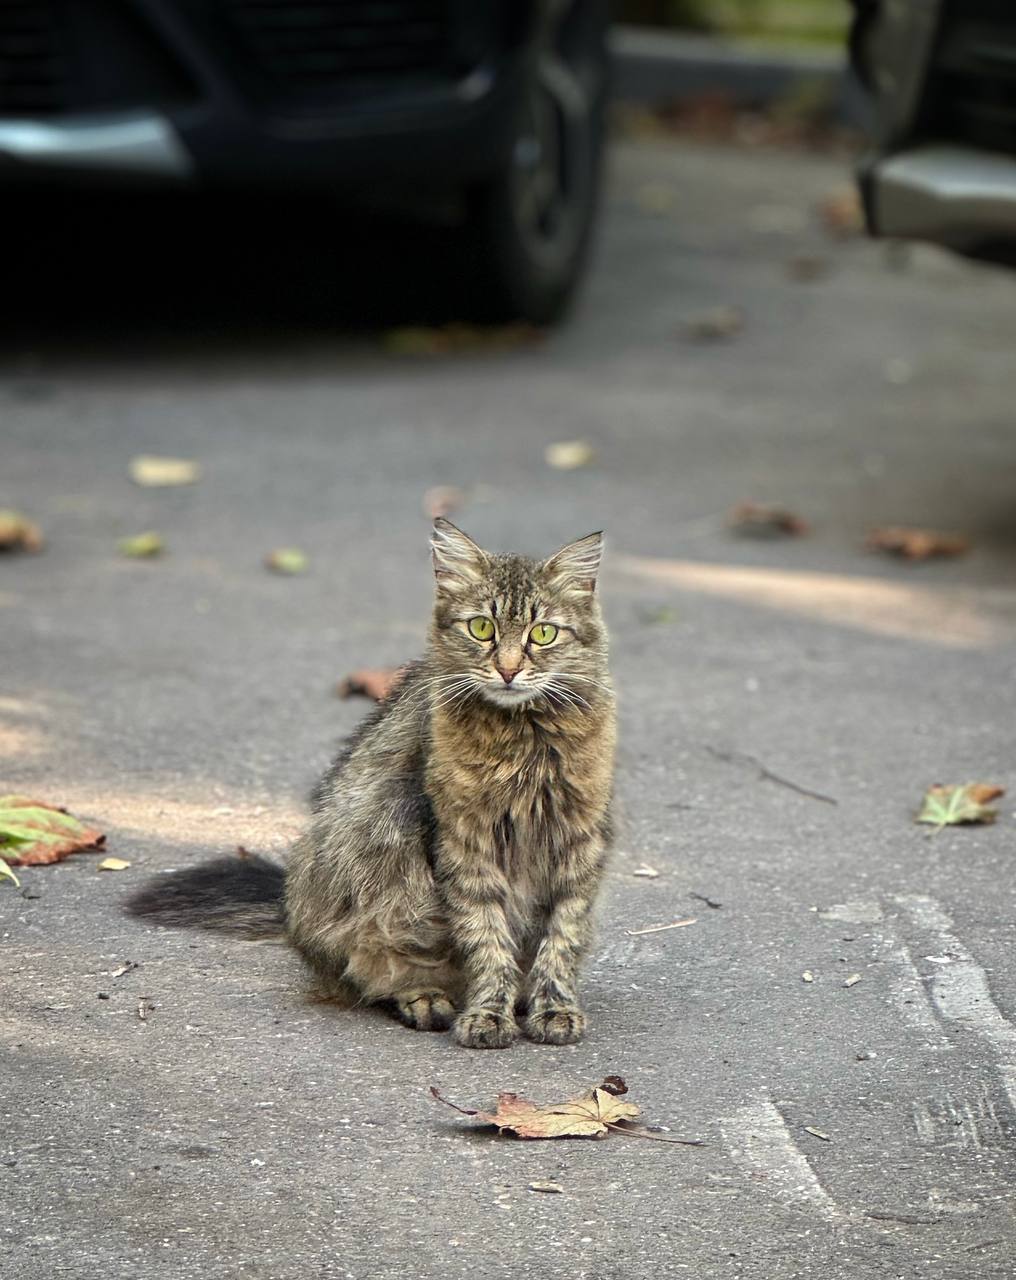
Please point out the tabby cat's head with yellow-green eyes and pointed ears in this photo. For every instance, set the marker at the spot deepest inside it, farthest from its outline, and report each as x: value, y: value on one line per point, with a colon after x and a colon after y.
x: 511, y: 630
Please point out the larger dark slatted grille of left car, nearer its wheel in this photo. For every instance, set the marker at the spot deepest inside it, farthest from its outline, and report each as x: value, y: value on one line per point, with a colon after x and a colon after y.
x: 308, y: 47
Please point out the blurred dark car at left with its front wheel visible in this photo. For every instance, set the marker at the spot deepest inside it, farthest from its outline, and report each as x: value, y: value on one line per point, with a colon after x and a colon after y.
x: 488, y: 113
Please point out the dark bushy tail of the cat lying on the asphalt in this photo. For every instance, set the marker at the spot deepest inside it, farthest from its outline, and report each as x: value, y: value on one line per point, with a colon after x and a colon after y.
x: 242, y: 897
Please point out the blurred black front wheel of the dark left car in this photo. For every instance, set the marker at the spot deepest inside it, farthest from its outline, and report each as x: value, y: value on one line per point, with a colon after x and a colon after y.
x: 530, y: 226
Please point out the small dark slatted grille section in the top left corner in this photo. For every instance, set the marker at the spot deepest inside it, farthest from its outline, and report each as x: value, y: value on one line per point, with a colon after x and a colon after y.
x: 33, y: 60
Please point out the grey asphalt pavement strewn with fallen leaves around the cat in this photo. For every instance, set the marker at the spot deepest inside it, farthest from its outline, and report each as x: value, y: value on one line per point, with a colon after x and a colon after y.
x: 784, y: 706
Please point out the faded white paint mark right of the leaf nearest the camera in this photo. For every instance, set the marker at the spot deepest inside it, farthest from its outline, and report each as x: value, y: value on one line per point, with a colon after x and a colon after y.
x: 762, y: 1145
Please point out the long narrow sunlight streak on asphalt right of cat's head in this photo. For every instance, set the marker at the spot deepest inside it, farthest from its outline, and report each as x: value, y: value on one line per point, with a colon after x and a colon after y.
x: 950, y: 618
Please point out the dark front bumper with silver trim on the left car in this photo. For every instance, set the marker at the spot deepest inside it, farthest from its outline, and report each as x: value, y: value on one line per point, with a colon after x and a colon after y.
x: 240, y: 93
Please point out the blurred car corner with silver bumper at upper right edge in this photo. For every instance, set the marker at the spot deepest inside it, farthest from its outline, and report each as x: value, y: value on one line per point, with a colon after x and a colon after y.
x: 942, y: 77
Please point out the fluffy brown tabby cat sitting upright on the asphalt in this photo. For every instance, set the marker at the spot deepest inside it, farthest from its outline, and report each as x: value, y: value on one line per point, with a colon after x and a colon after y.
x: 459, y: 842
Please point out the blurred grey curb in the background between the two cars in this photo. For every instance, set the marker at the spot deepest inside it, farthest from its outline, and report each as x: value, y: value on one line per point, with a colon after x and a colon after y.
x: 656, y: 67
